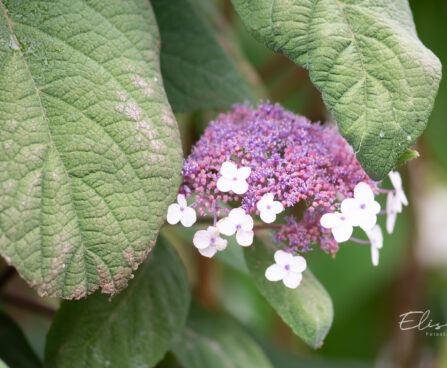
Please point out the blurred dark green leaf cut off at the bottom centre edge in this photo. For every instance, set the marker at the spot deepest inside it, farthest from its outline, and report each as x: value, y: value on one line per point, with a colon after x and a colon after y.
x: 212, y: 340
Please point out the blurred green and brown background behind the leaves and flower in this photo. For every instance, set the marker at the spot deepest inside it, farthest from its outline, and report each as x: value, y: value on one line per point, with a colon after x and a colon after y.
x: 412, y: 275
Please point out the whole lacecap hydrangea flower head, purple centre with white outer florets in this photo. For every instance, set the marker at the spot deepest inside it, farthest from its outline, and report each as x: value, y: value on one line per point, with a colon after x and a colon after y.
x: 283, y: 172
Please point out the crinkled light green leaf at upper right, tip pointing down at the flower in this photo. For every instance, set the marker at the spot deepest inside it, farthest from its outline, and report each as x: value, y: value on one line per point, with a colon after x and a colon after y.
x: 375, y: 75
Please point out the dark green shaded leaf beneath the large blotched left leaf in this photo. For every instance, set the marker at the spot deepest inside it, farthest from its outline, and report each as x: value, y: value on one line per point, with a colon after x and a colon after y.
x: 135, y: 329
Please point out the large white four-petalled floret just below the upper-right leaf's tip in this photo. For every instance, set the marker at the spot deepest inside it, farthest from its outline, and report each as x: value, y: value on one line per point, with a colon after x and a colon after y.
x: 361, y: 210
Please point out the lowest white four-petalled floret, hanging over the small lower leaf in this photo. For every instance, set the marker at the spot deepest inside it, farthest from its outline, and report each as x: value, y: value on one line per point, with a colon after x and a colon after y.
x: 287, y: 268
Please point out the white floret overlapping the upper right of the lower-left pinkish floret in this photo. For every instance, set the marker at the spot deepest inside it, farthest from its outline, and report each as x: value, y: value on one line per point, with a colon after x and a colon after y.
x: 240, y: 223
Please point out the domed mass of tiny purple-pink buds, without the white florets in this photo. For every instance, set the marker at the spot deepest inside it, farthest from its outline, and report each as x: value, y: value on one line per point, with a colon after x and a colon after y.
x: 289, y: 157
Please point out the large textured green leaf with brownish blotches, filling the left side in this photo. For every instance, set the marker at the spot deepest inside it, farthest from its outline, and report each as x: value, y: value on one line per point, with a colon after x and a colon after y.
x: 90, y: 153
